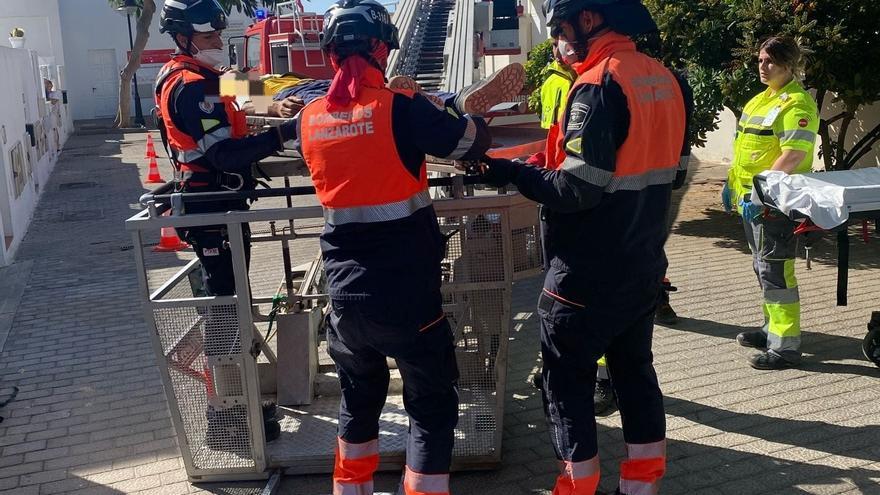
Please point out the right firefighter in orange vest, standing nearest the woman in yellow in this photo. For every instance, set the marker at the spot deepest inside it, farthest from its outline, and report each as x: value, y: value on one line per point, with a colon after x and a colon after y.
x: 606, y: 193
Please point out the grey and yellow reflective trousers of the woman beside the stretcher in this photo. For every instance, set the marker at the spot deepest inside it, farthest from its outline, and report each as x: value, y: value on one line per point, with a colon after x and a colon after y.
x: 773, y: 246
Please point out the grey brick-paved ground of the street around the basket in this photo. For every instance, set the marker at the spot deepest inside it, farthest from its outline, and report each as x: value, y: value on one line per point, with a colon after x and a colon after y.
x: 91, y: 415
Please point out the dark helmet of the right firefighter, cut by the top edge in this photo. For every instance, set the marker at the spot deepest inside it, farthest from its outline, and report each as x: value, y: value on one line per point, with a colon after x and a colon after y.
x: 628, y: 17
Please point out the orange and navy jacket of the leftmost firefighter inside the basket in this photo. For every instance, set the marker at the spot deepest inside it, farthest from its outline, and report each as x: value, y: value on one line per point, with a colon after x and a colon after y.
x: 206, y: 134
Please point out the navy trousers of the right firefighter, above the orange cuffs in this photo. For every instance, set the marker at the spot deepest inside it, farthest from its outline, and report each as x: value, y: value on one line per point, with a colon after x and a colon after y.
x: 577, y: 327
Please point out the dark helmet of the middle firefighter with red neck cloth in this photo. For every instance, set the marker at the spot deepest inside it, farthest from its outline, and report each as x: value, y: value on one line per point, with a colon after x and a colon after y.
x: 350, y: 21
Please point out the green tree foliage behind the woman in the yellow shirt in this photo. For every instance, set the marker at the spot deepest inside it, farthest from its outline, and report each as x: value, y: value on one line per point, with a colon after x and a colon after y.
x: 716, y: 43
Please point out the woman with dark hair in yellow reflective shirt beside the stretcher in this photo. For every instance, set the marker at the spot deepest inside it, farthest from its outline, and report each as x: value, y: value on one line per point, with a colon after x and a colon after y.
x: 777, y: 131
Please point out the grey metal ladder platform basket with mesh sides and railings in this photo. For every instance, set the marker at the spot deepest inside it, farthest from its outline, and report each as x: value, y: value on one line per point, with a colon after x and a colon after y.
x: 221, y: 356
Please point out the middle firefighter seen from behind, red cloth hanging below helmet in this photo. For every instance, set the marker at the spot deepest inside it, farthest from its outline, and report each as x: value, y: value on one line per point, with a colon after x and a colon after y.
x: 365, y: 147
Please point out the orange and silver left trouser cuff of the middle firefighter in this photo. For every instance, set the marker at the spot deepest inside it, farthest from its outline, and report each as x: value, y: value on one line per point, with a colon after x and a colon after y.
x: 355, y: 465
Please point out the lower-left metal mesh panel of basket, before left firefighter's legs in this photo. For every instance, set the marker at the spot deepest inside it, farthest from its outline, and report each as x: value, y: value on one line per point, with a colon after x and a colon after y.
x: 201, y: 349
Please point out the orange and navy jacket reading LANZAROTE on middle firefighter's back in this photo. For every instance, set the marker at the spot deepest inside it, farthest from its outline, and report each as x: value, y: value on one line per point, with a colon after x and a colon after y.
x: 381, y: 242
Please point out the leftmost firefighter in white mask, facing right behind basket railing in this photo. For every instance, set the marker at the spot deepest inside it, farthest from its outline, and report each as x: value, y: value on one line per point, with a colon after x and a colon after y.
x: 207, y: 140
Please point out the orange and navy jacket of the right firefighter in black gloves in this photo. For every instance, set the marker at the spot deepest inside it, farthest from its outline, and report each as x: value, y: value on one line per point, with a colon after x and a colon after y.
x: 610, y: 168
